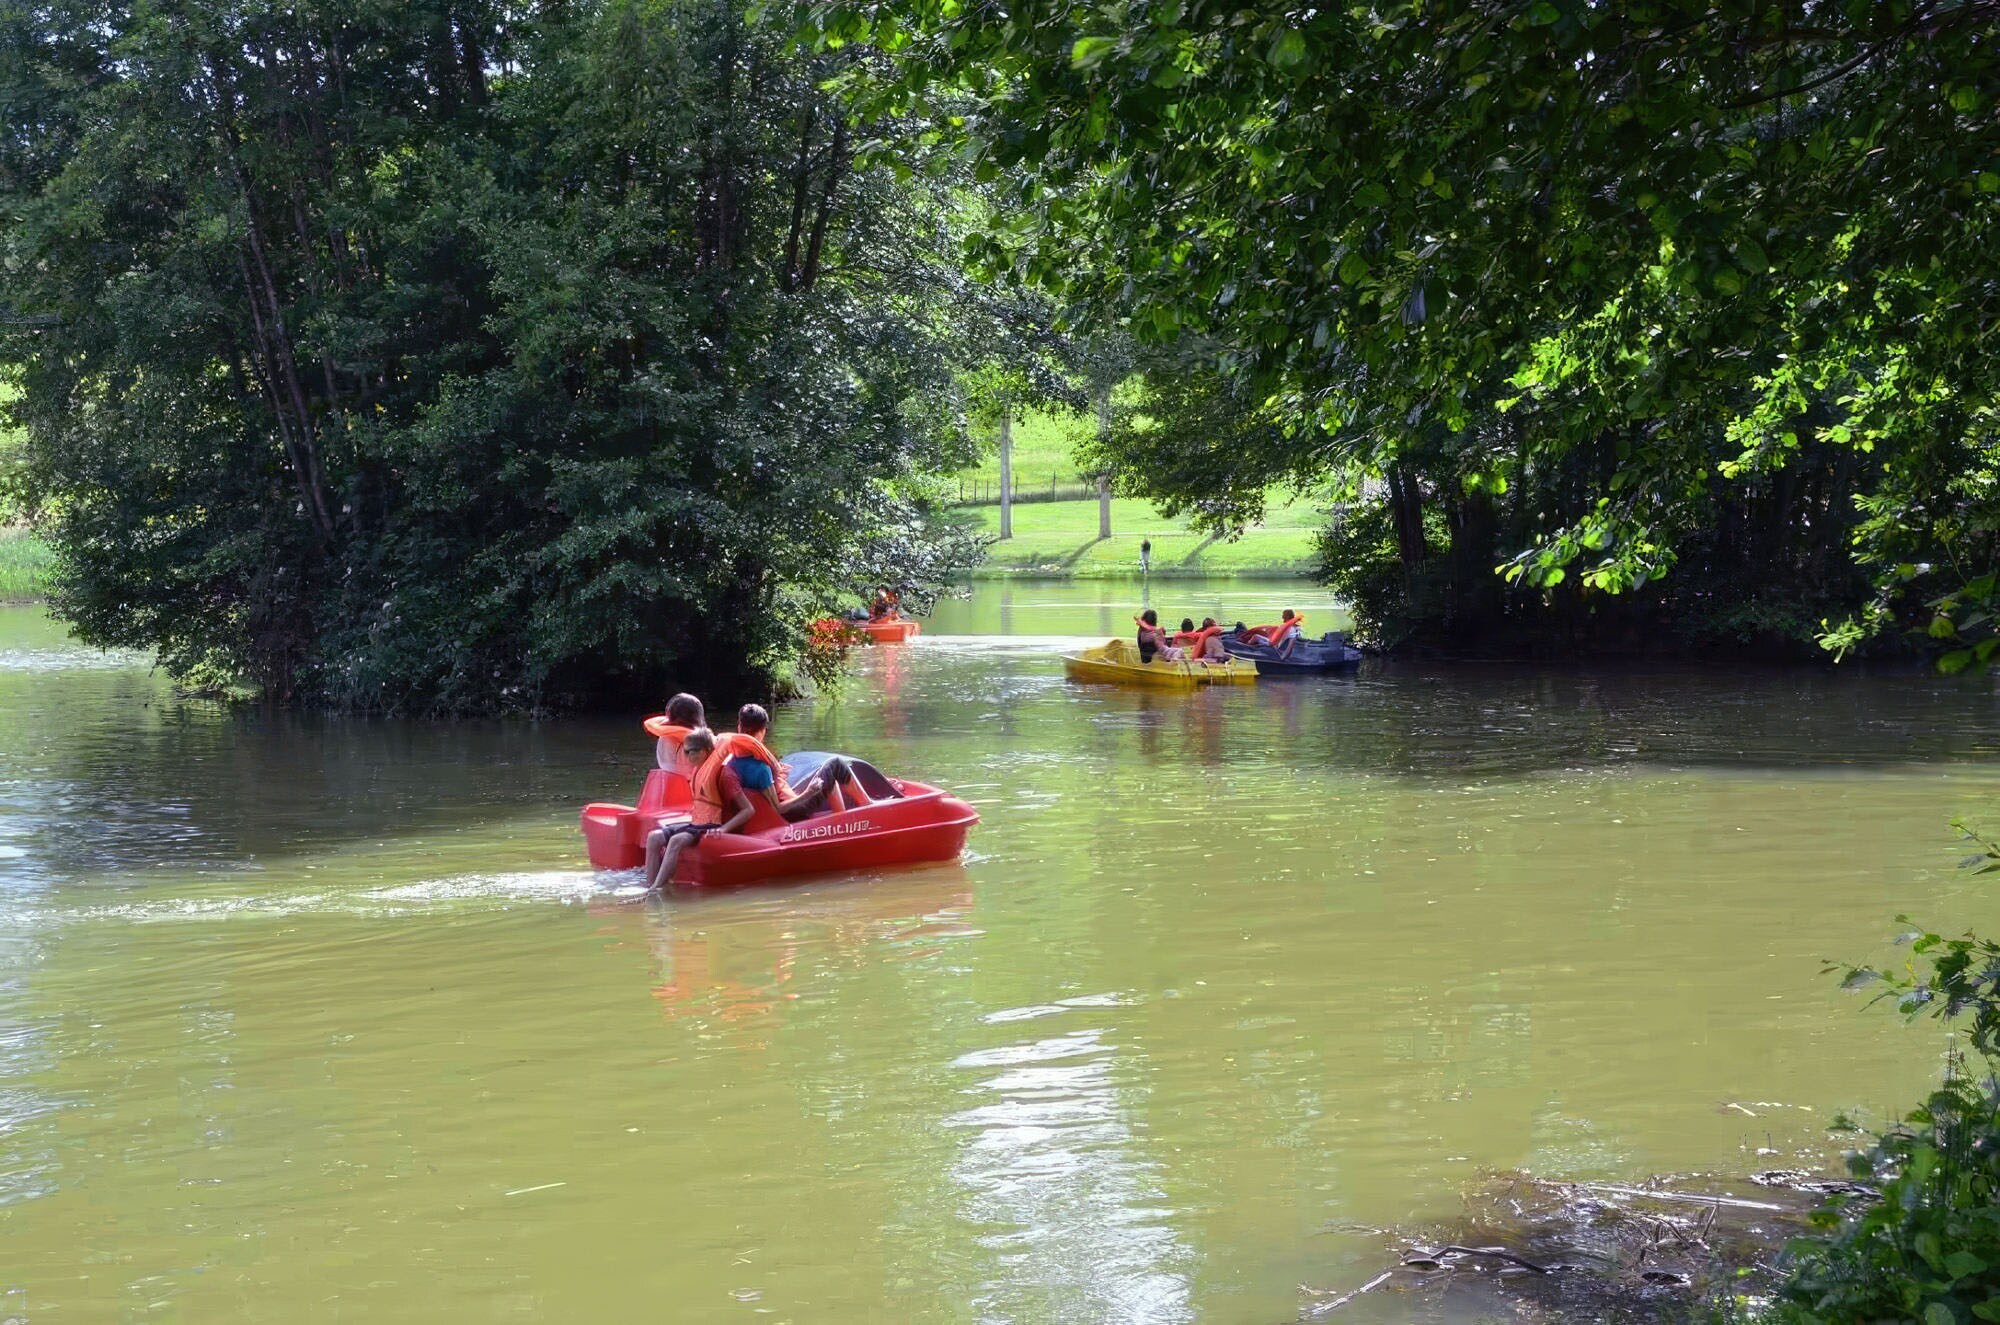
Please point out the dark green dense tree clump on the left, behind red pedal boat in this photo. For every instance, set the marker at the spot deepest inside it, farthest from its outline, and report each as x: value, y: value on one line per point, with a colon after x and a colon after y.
x: 459, y: 353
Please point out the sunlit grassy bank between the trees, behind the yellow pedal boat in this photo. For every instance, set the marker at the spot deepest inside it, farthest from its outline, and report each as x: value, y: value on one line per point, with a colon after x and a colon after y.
x: 1061, y: 539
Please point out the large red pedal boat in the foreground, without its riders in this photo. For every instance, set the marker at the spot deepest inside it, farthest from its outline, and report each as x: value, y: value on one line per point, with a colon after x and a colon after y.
x: 917, y: 824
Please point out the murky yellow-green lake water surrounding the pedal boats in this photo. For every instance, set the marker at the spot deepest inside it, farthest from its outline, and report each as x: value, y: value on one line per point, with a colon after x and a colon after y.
x: 325, y: 1020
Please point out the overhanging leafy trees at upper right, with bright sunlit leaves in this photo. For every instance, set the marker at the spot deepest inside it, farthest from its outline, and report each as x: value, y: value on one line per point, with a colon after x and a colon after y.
x: 1579, y: 291
